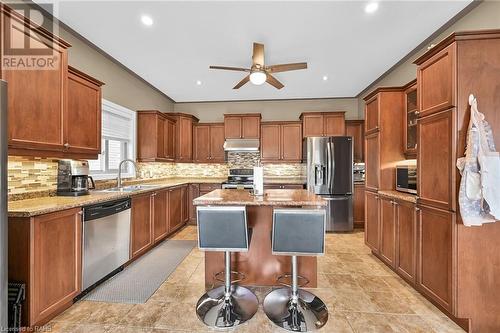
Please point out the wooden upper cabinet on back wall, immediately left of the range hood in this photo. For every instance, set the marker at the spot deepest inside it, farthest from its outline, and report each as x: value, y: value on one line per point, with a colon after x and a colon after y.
x: 208, y: 145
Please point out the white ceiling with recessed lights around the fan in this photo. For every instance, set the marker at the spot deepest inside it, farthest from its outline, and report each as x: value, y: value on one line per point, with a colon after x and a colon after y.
x: 336, y: 38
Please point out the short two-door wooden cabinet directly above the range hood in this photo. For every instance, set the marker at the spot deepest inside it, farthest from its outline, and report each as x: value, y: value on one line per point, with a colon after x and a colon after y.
x: 242, y: 126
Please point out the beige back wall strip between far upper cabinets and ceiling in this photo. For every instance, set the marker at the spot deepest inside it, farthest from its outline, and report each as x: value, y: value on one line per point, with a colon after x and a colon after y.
x: 270, y: 110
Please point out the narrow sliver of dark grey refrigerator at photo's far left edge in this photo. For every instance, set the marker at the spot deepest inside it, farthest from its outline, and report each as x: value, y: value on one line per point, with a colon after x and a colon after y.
x: 3, y: 207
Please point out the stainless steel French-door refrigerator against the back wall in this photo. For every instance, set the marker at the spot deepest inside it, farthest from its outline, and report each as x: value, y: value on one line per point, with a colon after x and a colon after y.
x: 329, y: 174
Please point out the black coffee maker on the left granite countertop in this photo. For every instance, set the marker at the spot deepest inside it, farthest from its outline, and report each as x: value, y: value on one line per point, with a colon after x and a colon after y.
x: 73, y: 178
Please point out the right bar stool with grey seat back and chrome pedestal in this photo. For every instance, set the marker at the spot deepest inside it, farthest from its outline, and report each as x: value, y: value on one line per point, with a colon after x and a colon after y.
x: 297, y: 232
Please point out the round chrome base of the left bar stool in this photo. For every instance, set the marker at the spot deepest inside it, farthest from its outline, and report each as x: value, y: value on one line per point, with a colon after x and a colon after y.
x: 218, y: 311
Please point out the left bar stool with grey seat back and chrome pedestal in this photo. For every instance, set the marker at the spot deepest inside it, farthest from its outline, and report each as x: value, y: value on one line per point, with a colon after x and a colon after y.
x: 224, y: 228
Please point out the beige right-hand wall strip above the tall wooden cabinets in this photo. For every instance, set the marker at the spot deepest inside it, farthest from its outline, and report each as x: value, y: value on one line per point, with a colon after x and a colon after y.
x: 485, y: 16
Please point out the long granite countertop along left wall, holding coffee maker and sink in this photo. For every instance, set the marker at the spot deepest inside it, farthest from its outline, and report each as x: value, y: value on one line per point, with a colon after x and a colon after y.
x: 50, y: 204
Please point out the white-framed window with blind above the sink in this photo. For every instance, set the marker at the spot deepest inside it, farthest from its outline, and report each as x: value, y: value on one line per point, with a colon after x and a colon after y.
x: 118, y: 142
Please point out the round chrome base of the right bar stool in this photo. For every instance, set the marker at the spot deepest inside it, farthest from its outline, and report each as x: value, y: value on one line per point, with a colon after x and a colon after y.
x: 309, y: 313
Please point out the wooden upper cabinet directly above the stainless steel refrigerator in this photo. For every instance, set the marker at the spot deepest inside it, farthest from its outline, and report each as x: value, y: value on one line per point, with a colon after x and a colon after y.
x: 323, y: 123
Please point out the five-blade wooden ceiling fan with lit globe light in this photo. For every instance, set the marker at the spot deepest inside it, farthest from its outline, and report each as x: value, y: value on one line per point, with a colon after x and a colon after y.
x: 259, y: 72
